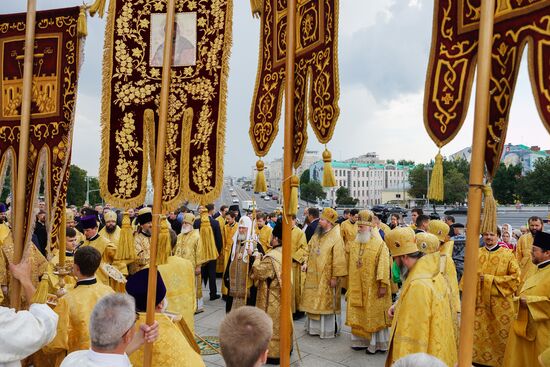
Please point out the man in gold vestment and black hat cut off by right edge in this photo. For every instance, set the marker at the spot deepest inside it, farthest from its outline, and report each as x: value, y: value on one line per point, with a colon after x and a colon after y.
x: 530, y: 333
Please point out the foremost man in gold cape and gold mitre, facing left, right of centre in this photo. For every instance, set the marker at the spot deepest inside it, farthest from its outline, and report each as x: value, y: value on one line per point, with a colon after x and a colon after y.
x: 422, y: 321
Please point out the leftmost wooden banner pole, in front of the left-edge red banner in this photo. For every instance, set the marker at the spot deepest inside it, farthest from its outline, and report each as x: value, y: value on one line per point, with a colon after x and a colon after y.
x: 22, y: 159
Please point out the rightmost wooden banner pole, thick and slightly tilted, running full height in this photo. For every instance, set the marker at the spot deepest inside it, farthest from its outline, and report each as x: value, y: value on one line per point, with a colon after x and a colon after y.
x: 481, y: 119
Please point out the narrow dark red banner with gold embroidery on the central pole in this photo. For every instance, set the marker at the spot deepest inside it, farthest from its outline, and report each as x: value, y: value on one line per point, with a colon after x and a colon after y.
x: 316, y: 63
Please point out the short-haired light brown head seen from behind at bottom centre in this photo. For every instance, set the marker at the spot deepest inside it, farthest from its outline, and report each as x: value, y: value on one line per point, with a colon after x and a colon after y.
x: 244, y: 337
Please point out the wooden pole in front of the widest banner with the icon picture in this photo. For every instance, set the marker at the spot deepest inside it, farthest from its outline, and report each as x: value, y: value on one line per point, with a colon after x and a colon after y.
x: 158, y: 174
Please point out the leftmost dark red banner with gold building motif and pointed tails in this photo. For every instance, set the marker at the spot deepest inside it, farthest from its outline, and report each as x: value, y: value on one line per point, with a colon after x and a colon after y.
x: 57, y: 58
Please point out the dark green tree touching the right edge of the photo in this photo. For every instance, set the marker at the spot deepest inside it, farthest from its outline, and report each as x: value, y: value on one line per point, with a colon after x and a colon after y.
x: 535, y: 188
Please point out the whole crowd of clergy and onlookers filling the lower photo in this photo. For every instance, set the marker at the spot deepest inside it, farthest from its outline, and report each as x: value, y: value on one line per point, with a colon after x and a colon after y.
x: 401, y: 284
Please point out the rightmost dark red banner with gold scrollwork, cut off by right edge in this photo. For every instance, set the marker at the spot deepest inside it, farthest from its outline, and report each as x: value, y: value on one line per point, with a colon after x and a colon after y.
x: 453, y: 60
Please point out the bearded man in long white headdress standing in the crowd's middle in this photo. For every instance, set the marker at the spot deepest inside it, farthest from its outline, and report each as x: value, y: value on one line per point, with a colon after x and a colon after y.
x: 236, y: 276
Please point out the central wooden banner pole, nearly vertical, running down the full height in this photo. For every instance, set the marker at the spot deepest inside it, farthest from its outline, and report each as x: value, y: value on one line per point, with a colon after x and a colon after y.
x: 288, y: 160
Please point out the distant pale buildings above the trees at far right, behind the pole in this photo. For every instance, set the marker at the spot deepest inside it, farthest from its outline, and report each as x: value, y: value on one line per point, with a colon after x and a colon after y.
x: 512, y: 155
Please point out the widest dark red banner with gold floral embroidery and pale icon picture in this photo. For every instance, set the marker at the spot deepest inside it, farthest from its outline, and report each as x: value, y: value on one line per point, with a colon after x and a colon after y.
x: 132, y: 69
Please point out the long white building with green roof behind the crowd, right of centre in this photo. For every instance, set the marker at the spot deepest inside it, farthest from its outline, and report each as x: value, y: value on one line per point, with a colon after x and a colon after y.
x: 366, y: 182
